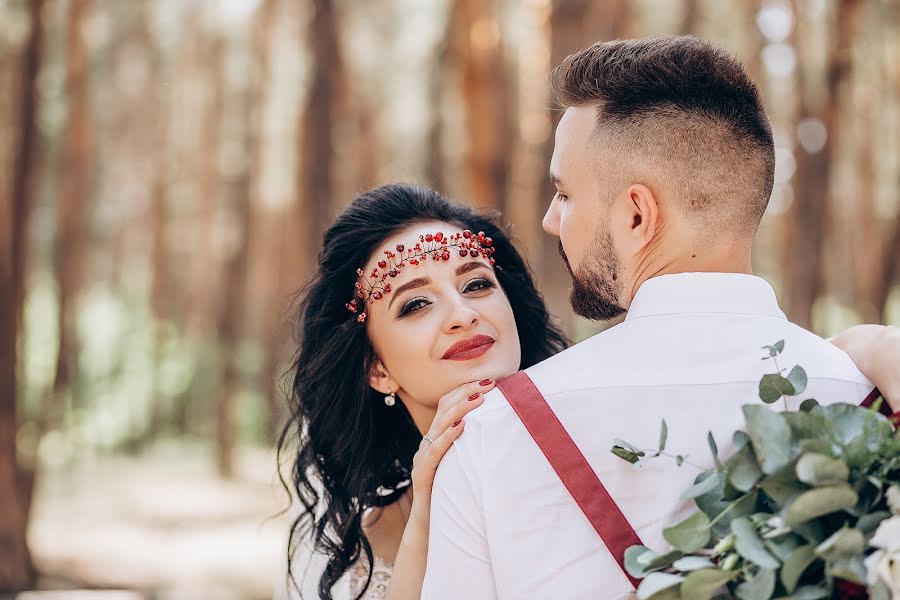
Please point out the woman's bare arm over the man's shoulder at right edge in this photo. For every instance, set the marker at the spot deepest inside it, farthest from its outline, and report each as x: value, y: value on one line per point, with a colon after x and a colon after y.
x: 876, y: 351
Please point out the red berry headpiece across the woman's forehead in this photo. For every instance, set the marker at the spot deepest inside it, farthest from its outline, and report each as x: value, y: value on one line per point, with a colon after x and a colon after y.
x: 375, y: 285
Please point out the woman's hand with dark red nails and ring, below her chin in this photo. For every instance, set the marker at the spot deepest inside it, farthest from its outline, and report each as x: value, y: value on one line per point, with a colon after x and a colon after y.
x: 448, y: 425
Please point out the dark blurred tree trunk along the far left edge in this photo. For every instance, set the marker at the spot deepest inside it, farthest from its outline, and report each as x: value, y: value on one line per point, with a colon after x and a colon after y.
x: 16, y: 570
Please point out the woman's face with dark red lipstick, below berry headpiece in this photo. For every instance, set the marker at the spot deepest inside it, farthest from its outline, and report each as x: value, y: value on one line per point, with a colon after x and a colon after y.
x: 444, y: 323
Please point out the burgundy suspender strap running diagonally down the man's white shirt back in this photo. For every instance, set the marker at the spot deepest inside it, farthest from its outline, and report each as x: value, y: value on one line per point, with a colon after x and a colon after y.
x: 571, y: 466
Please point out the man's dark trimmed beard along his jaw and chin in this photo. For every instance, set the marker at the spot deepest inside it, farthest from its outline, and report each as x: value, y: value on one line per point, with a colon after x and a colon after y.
x: 595, y: 291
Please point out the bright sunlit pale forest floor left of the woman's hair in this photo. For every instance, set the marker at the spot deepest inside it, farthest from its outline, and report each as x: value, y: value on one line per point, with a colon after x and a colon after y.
x: 163, y: 524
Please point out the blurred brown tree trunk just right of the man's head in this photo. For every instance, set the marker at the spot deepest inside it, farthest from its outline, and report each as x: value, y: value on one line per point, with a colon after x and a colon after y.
x: 807, y: 216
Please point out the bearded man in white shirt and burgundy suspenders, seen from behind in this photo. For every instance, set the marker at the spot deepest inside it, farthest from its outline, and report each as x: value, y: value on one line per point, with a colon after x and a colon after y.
x: 663, y: 167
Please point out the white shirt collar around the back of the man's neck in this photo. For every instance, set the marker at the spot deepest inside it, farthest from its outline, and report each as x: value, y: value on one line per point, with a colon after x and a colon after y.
x: 681, y: 293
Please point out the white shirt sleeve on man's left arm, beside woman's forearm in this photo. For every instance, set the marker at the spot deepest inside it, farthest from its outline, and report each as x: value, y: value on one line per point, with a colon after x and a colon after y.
x: 459, y: 562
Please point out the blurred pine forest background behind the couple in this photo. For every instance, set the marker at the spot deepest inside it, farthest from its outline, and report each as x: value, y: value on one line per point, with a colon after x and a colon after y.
x: 167, y: 168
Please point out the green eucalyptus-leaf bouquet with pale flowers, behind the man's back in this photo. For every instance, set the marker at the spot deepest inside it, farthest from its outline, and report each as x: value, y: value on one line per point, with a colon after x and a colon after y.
x: 808, y: 507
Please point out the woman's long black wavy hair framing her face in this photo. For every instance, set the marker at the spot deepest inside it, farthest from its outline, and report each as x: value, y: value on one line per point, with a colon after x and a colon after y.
x: 352, y: 451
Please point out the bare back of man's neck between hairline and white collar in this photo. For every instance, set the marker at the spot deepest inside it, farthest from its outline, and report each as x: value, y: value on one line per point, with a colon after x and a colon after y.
x: 697, y: 259
